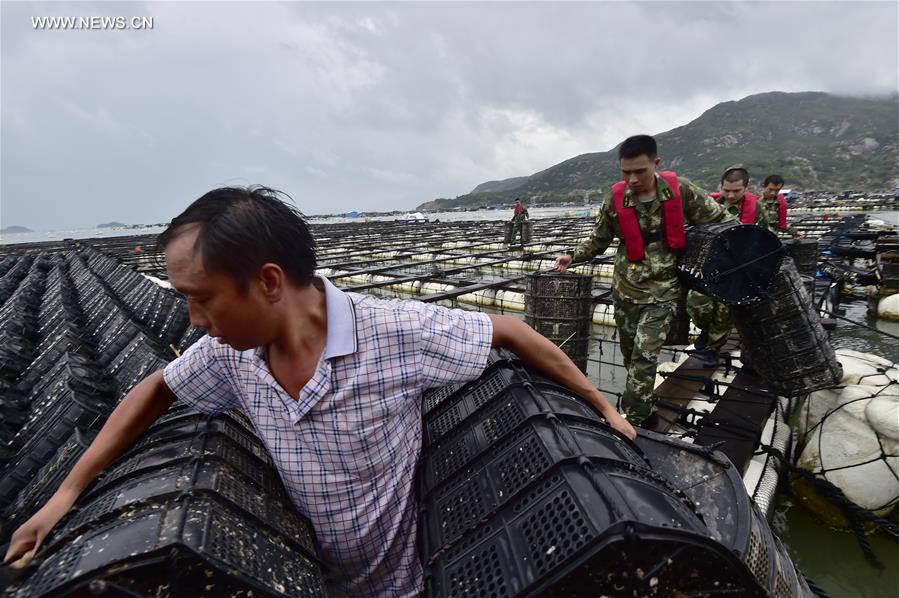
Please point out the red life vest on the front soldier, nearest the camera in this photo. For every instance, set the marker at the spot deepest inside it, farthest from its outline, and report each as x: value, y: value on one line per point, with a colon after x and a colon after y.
x: 672, y: 219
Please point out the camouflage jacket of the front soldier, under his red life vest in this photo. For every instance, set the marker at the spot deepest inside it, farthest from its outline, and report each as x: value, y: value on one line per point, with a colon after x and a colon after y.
x: 653, y: 279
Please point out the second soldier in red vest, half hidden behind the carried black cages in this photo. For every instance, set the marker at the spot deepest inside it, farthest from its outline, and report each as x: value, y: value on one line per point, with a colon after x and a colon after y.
x: 713, y: 318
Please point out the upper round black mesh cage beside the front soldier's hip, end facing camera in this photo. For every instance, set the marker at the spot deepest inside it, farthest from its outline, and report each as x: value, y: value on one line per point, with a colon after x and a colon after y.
x: 733, y: 263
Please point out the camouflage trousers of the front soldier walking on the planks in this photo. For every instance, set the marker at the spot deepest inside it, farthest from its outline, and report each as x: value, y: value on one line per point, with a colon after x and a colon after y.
x: 642, y: 329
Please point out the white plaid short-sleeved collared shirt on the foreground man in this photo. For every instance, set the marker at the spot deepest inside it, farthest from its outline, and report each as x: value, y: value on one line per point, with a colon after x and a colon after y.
x: 347, y: 448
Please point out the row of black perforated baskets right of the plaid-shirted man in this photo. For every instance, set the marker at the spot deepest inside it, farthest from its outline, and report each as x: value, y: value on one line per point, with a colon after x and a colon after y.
x: 524, y: 490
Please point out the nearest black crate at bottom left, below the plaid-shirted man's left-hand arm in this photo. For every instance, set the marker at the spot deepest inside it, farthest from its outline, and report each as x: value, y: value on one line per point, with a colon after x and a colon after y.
x: 189, y: 545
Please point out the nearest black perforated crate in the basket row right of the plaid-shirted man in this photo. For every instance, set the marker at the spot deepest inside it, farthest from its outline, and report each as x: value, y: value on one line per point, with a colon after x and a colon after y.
x: 587, y: 529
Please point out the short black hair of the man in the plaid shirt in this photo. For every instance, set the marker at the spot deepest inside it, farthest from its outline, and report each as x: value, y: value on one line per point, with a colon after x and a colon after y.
x: 246, y: 227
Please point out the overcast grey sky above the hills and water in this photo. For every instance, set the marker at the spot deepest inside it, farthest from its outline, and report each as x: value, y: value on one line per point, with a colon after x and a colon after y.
x: 381, y: 106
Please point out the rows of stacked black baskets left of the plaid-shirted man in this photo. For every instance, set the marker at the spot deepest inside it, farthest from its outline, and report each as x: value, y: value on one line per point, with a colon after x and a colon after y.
x: 194, y: 508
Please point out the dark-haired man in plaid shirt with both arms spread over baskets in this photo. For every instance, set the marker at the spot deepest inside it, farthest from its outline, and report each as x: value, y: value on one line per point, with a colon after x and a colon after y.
x: 331, y: 380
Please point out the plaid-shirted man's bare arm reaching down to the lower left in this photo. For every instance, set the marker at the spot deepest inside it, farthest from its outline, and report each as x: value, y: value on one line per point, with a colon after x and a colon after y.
x: 138, y: 410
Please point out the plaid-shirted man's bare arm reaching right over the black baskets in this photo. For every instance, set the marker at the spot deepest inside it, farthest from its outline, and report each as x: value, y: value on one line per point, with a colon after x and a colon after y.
x: 540, y: 353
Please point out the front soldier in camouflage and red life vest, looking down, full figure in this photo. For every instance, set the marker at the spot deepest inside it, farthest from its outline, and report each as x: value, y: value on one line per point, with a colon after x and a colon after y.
x: 647, y: 211
